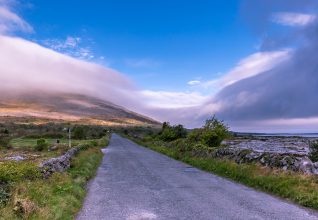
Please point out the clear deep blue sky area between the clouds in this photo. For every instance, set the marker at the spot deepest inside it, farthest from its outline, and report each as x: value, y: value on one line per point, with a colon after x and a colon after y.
x: 162, y: 45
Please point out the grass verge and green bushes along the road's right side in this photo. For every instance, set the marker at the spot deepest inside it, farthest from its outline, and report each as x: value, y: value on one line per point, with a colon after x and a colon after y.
x: 196, y: 149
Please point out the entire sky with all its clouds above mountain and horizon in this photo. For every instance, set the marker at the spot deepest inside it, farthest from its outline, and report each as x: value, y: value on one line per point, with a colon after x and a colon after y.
x: 251, y: 63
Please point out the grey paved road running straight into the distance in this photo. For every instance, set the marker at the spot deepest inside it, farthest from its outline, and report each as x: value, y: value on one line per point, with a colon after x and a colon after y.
x: 134, y: 182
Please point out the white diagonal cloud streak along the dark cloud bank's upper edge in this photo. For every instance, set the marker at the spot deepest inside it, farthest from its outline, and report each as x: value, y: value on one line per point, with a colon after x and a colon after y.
x: 250, y: 66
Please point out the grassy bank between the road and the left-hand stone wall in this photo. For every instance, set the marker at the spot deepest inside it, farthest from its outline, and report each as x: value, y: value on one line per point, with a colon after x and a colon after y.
x: 60, y: 196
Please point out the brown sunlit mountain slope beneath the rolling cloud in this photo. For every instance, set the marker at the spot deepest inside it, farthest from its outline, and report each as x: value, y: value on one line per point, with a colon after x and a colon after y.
x: 68, y: 107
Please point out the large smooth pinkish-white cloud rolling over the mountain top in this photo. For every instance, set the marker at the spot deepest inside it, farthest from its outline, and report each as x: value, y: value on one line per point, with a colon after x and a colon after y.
x: 26, y: 66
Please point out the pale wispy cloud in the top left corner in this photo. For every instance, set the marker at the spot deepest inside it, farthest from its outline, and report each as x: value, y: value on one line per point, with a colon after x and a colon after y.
x: 10, y: 22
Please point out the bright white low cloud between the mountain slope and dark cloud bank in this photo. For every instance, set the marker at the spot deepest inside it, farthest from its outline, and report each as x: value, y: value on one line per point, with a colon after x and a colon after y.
x: 164, y: 99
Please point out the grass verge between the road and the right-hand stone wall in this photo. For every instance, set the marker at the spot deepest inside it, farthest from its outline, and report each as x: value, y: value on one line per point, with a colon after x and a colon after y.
x: 293, y: 186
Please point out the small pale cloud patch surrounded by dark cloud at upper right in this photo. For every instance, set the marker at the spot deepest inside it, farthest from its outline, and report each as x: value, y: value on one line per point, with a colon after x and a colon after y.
x: 292, y: 19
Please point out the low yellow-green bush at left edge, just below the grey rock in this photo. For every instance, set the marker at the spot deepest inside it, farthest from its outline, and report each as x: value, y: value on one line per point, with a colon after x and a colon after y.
x: 15, y: 172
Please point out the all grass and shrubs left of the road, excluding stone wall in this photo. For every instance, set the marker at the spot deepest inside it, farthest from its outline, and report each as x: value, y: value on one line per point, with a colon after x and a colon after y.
x: 24, y: 194
